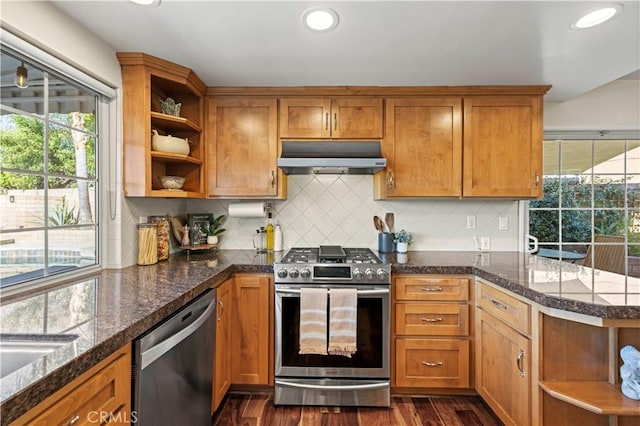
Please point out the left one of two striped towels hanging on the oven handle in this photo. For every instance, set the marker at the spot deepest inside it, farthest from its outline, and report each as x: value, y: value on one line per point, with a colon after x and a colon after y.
x: 313, y: 321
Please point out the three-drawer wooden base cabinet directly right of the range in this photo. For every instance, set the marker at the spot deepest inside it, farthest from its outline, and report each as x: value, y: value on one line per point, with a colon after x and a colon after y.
x: 431, y: 332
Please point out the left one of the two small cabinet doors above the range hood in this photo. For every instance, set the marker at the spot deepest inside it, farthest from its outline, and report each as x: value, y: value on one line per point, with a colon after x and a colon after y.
x: 305, y: 118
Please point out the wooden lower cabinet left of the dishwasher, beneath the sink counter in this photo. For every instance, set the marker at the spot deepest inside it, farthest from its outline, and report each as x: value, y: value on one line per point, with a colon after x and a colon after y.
x: 99, y: 396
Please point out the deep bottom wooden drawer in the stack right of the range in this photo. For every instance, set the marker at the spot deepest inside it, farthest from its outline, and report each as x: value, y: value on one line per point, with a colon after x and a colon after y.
x: 434, y: 363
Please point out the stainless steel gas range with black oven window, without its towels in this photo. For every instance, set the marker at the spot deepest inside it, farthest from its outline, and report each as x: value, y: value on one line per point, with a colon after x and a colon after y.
x: 312, y: 379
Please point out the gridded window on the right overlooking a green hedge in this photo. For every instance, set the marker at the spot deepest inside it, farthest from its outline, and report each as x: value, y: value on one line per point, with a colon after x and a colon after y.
x: 590, y: 213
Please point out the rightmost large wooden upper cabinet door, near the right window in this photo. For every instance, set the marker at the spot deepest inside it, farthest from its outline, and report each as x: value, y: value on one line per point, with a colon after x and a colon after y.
x: 503, y: 146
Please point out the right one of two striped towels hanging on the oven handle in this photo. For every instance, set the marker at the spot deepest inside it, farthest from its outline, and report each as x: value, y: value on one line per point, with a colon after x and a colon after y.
x: 343, y: 321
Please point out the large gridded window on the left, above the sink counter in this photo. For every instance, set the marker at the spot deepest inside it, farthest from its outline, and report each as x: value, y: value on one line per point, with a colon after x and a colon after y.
x: 48, y: 172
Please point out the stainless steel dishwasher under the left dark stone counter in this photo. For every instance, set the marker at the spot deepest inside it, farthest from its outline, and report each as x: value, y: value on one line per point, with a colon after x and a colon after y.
x: 172, y: 372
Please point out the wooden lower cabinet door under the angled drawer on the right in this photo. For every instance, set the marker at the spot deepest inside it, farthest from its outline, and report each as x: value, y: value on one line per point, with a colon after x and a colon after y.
x: 503, y: 370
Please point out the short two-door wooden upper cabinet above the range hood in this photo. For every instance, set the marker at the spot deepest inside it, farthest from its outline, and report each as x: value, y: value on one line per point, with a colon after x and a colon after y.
x: 324, y: 118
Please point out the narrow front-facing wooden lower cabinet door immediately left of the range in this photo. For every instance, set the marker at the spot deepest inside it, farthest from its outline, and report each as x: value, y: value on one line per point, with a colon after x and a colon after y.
x: 252, y: 330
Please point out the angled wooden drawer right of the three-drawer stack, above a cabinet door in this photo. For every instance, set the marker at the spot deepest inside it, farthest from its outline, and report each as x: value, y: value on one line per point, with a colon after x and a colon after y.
x: 505, y: 307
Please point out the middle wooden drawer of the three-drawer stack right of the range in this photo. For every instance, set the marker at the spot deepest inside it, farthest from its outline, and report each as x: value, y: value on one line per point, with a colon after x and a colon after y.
x: 432, y: 320
